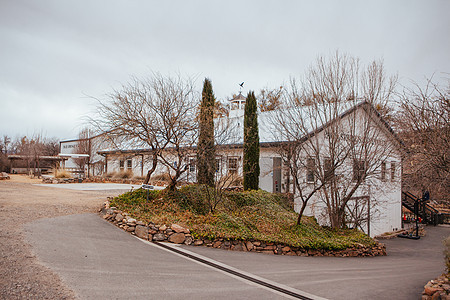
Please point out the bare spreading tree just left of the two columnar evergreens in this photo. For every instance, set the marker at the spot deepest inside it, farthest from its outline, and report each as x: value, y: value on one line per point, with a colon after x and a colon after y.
x: 157, y: 113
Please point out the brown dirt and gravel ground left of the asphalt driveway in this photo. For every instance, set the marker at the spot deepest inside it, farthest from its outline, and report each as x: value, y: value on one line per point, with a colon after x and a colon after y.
x: 21, y: 275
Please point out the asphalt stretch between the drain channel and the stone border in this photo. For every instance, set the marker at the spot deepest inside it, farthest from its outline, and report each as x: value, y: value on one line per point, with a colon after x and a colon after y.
x: 409, y: 265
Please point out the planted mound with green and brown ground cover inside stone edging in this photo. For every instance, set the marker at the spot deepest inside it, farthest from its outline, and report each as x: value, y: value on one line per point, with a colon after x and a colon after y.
x: 251, y: 215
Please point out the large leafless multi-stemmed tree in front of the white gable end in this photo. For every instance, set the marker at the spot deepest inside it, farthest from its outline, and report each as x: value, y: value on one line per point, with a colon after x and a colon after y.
x: 335, y: 145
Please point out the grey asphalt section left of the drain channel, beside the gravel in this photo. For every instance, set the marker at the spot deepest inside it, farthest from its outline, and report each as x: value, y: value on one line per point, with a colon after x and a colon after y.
x: 99, y: 261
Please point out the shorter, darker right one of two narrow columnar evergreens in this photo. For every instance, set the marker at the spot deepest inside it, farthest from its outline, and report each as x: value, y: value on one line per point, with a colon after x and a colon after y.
x: 251, y: 144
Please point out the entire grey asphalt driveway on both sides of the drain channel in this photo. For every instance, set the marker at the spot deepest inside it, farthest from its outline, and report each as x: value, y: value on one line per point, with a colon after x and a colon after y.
x: 99, y: 261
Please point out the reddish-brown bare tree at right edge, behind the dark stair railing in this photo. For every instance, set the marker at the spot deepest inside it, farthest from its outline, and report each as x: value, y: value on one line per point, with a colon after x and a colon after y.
x: 423, y: 122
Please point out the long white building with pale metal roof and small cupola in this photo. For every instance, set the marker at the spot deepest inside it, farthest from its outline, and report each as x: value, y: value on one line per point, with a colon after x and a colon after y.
x: 375, y: 206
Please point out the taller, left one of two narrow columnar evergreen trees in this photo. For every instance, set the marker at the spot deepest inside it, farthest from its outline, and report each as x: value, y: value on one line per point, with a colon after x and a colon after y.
x: 205, y: 149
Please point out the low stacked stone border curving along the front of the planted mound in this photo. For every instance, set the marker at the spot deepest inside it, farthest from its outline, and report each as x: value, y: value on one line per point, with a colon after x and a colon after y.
x: 177, y: 234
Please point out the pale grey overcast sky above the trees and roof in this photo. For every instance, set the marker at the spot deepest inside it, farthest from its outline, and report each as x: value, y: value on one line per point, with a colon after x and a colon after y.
x: 54, y: 53
